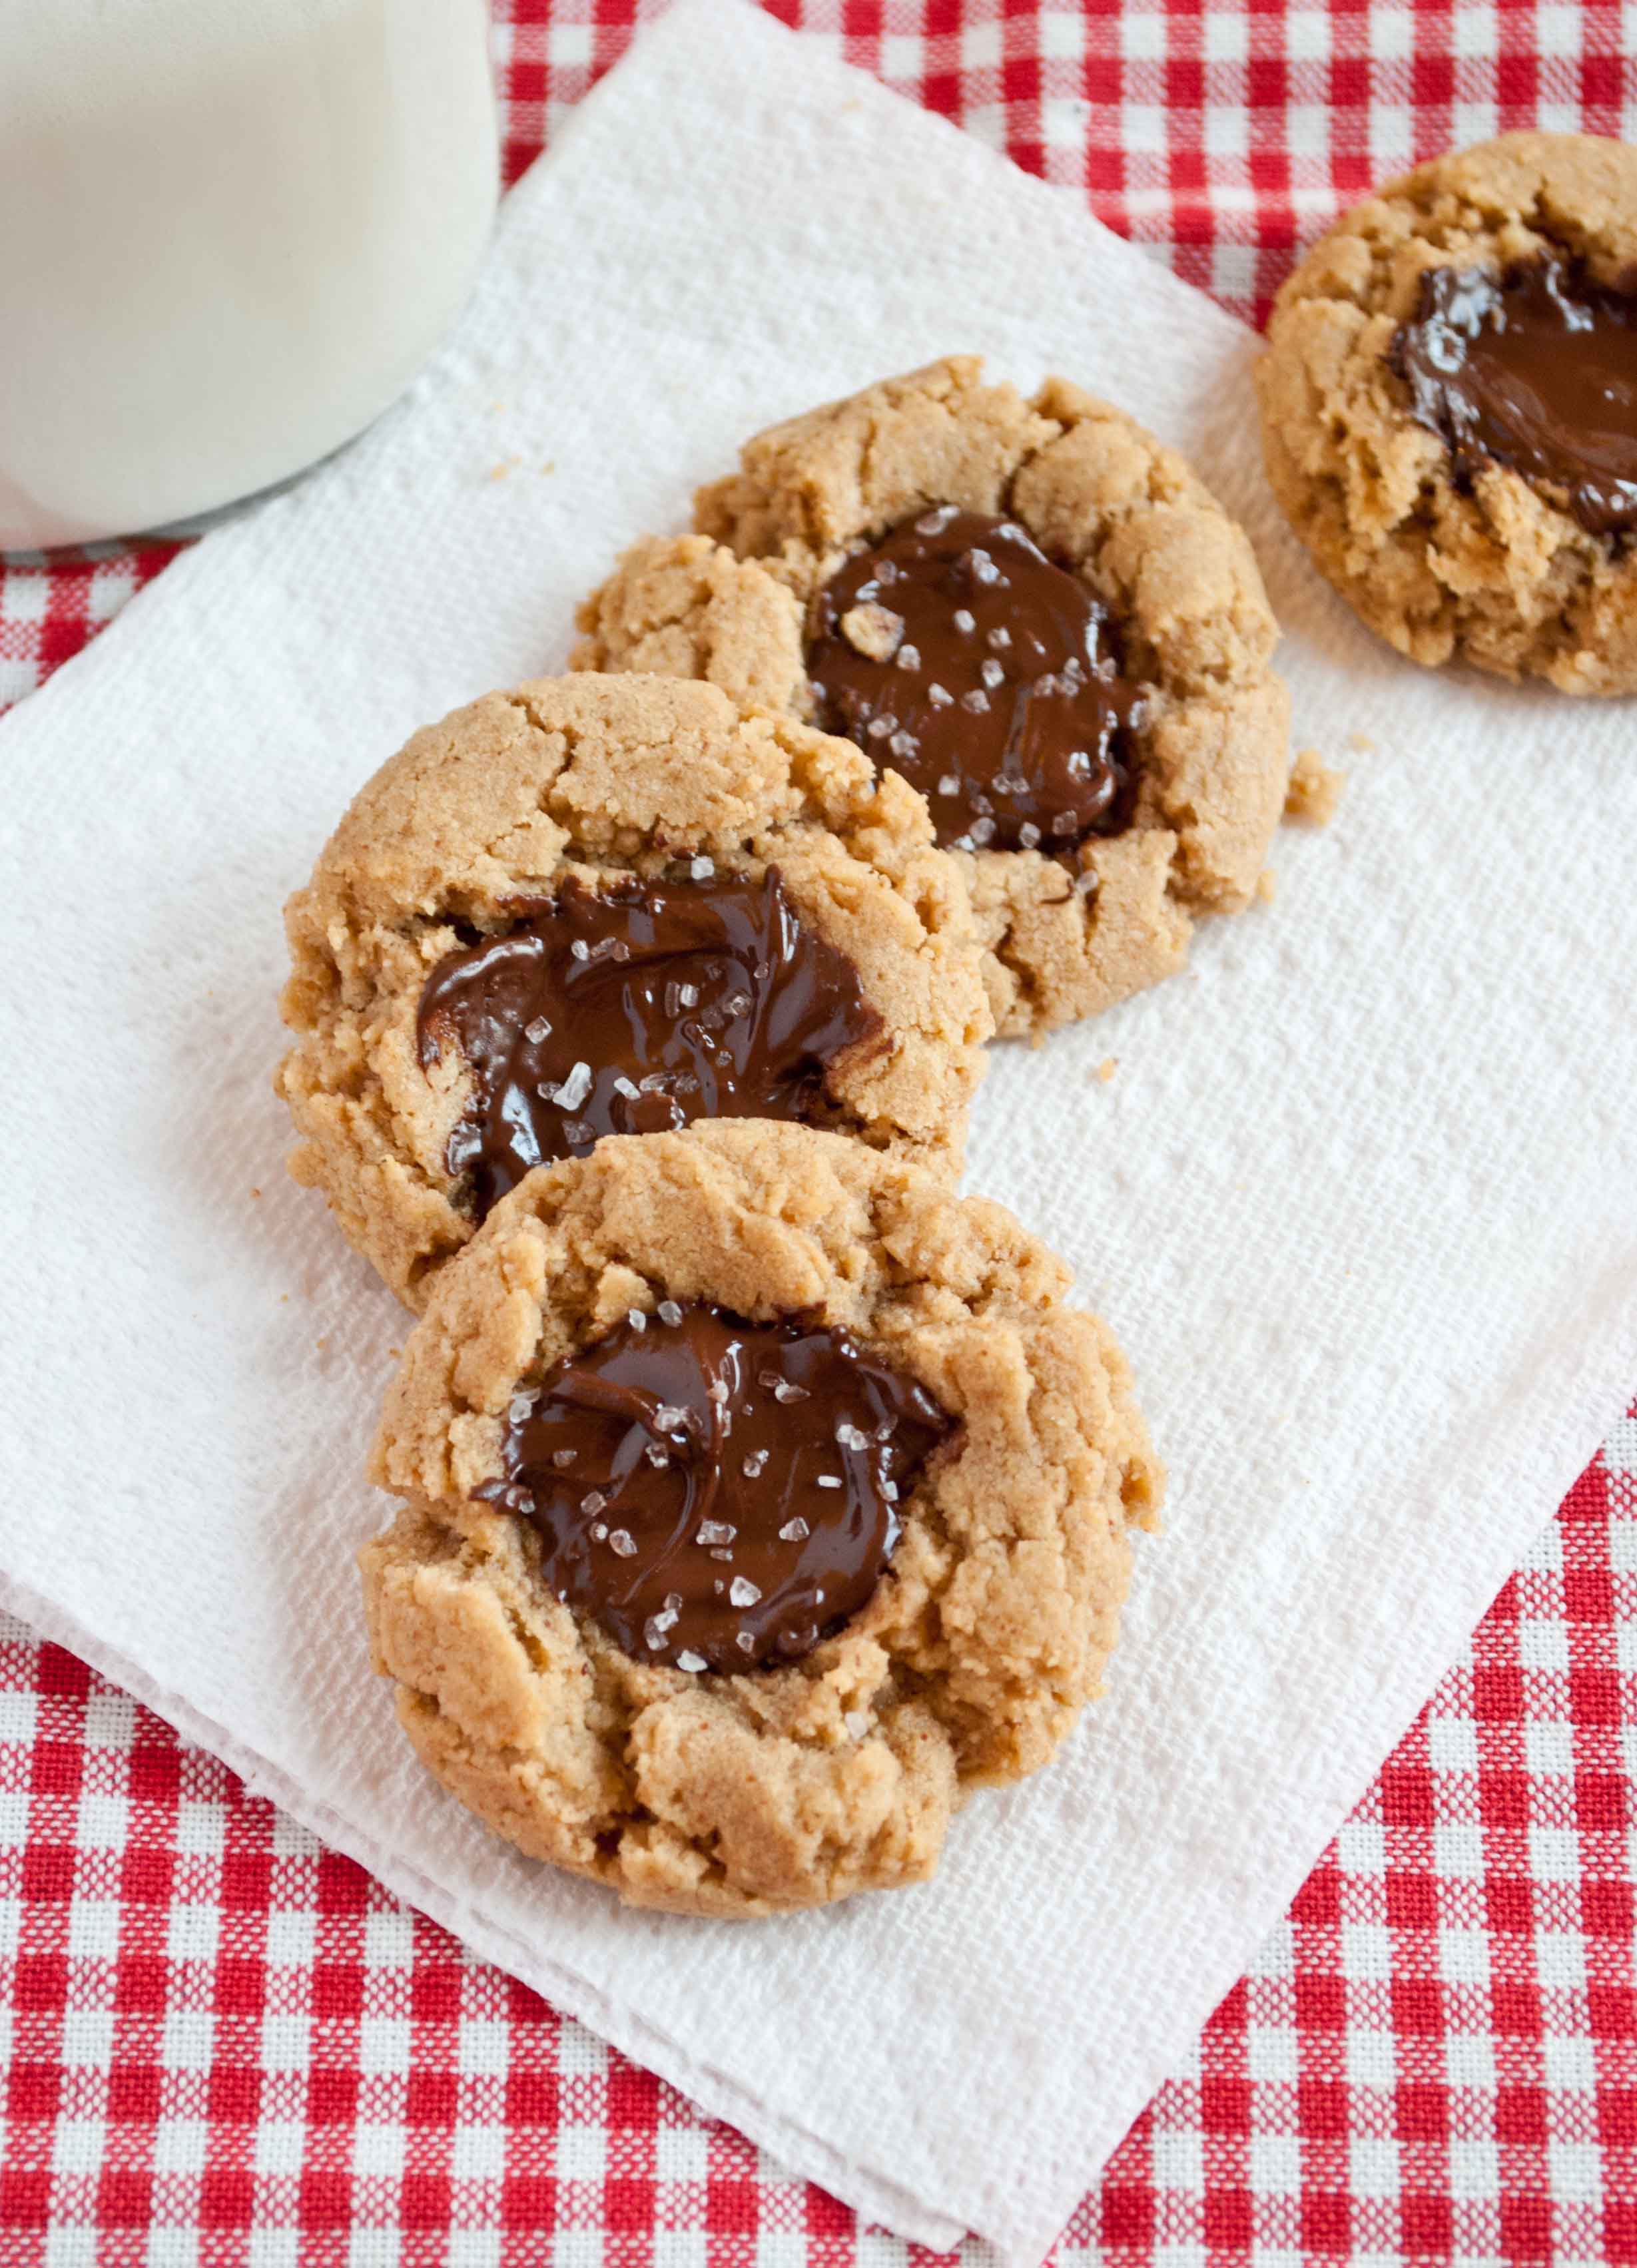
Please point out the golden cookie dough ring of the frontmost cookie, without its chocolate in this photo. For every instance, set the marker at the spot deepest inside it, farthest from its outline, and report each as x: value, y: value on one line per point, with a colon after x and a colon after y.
x: 786, y: 1788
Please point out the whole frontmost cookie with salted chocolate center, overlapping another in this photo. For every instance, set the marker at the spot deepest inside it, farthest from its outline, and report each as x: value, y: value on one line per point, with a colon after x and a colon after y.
x: 761, y: 1503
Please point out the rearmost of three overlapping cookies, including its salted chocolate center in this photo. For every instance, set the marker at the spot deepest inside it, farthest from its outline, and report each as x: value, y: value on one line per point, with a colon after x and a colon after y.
x: 1033, y: 611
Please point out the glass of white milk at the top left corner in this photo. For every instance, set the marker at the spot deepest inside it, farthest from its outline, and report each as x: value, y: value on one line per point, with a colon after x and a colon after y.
x: 230, y: 235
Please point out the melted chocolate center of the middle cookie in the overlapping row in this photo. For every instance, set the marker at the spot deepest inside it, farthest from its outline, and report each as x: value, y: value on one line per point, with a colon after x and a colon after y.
x: 634, y: 1010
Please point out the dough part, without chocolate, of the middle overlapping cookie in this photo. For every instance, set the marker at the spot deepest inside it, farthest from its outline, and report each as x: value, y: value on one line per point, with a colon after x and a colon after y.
x: 600, y: 779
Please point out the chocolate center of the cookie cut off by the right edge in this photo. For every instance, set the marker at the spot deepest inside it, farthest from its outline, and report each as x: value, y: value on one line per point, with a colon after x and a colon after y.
x: 1536, y: 371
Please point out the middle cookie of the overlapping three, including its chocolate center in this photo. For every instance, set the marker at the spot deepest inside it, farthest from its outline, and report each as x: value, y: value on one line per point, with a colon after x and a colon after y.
x: 613, y: 906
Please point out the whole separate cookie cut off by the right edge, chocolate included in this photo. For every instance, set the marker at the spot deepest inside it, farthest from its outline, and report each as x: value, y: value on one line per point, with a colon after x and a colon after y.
x: 1450, y: 409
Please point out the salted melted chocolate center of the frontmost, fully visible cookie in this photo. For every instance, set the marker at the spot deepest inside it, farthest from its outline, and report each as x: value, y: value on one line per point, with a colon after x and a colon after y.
x: 715, y: 1493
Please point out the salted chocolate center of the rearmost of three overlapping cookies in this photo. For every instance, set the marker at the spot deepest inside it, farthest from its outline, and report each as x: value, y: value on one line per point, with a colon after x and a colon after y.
x: 958, y: 654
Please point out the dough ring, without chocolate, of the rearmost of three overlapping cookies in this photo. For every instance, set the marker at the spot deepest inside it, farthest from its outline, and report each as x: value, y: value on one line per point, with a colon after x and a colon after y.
x: 1067, y: 933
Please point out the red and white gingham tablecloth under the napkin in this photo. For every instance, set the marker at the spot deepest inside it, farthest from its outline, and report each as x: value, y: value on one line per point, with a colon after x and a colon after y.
x: 226, y: 2045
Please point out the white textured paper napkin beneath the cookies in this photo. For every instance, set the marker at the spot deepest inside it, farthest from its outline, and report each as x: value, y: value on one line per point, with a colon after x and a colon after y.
x: 1359, y: 1196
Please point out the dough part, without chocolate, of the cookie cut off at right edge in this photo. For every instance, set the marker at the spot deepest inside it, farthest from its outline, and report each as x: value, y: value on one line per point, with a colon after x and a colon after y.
x: 1491, y: 570
